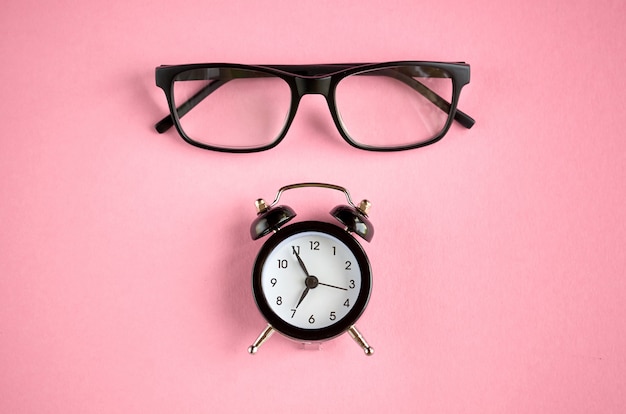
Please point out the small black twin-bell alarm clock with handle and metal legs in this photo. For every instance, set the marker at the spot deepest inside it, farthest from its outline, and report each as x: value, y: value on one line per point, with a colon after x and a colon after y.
x: 311, y: 280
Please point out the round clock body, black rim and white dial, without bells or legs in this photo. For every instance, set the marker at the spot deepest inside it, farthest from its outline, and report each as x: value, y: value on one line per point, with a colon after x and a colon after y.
x: 312, y: 280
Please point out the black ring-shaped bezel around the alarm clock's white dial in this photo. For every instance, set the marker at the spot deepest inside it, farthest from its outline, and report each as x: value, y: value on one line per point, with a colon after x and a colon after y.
x: 342, y: 325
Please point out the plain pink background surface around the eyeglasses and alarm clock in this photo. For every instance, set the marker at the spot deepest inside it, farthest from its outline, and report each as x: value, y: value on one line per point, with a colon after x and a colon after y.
x: 499, y: 252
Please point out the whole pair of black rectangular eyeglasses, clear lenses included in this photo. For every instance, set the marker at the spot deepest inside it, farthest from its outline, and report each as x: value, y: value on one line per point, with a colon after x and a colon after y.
x: 390, y: 106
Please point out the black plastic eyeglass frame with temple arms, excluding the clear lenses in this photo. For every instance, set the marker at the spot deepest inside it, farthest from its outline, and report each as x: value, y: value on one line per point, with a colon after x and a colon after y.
x: 312, y: 79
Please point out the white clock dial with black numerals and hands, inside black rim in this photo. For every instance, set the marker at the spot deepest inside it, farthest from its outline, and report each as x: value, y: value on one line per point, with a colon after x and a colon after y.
x: 311, y: 280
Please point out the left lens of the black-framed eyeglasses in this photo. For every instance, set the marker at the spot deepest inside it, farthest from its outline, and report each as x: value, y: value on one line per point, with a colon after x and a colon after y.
x: 242, y: 109
